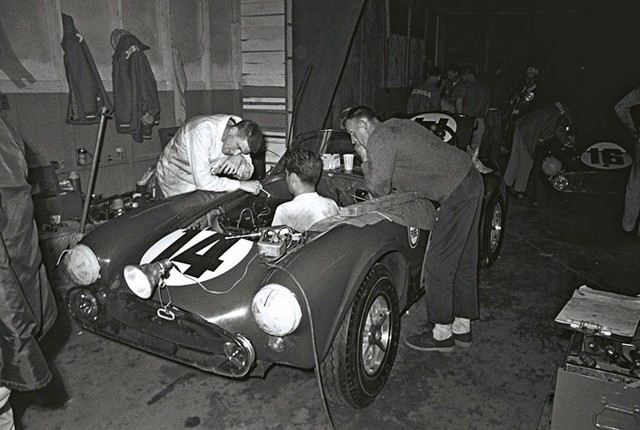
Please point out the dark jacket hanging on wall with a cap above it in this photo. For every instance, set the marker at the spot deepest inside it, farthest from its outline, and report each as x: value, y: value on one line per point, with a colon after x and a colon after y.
x: 135, y: 92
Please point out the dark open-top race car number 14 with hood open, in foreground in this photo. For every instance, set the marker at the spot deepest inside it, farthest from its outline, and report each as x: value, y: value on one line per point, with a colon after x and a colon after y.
x: 204, y: 279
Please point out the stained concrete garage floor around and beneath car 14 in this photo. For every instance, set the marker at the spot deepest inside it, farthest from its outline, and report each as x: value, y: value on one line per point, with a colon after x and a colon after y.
x: 505, y: 381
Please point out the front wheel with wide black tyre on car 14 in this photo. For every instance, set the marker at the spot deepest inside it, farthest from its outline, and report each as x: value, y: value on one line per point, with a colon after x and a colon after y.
x: 361, y: 357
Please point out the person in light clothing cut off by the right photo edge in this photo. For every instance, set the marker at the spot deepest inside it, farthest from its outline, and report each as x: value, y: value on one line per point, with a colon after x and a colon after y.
x: 628, y: 111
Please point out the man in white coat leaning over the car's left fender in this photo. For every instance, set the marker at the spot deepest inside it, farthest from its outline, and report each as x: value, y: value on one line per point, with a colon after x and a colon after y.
x: 210, y: 153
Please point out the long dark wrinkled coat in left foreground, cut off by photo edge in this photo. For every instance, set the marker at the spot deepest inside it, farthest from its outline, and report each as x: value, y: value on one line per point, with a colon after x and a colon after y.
x: 27, y: 305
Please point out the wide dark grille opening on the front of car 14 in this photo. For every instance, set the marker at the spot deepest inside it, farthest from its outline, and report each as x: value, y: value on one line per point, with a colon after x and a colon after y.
x: 186, y: 338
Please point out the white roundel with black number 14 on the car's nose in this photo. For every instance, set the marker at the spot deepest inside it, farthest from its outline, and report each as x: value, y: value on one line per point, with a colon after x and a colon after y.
x: 197, y: 255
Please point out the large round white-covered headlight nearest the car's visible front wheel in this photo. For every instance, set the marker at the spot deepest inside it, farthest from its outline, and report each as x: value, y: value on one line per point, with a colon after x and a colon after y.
x: 276, y: 310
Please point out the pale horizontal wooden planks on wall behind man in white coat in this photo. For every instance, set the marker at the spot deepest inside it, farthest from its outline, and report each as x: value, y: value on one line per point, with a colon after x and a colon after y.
x: 264, y: 75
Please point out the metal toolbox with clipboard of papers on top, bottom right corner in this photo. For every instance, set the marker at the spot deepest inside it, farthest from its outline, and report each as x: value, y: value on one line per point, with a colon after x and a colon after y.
x: 598, y: 387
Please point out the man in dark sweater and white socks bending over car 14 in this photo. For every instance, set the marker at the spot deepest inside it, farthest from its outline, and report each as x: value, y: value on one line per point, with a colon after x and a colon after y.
x: 402, y: 155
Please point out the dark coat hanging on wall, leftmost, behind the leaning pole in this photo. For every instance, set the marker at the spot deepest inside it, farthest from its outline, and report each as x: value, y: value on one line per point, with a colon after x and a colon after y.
x: 87, y: 95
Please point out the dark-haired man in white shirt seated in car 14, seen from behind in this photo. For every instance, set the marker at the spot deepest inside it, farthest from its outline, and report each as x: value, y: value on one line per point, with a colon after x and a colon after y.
x: 303, y: 169
